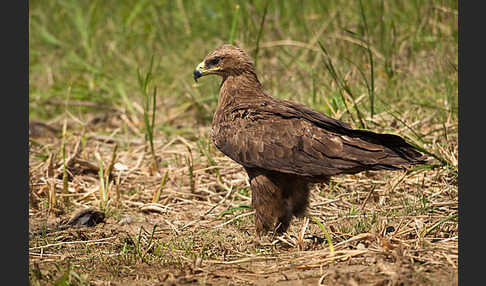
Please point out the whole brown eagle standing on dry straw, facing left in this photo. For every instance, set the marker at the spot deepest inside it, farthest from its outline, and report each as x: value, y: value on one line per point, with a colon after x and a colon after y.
x: 285, y: 146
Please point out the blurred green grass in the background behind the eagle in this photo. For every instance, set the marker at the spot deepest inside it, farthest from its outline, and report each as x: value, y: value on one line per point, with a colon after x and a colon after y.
x: 356, y: 60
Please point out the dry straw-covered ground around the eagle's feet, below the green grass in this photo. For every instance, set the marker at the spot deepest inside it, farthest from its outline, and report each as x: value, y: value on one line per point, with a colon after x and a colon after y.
x: 386, y: 228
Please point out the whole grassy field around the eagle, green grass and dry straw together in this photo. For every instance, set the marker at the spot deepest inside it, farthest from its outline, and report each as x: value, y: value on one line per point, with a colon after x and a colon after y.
x: 179, y: 214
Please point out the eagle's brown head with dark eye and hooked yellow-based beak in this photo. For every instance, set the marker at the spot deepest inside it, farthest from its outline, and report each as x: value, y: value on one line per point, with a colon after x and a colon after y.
x: 225, y: 61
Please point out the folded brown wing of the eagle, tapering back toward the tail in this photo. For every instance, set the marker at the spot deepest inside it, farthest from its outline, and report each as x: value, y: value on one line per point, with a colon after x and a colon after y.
x: 293, y: 138
